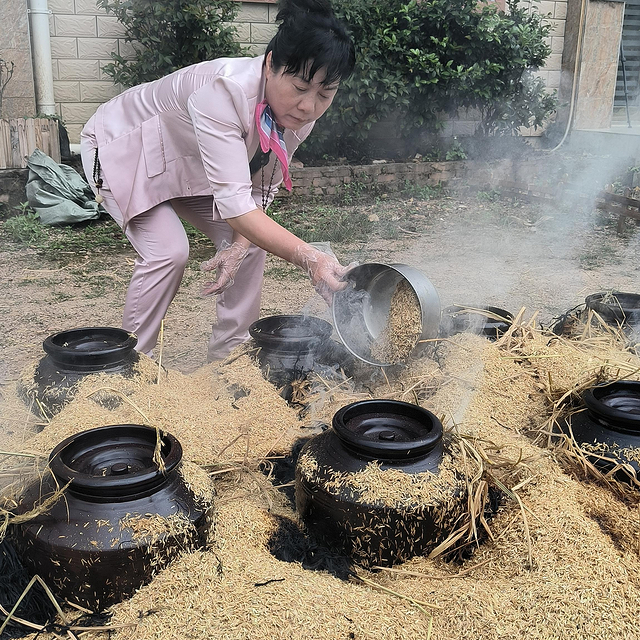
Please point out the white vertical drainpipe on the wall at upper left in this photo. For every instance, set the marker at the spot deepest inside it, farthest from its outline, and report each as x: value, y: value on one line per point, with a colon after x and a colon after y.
x: 41, y: 57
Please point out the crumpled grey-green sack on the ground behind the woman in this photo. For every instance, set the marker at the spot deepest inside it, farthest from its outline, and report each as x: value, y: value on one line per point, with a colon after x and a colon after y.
x: 58, y: 193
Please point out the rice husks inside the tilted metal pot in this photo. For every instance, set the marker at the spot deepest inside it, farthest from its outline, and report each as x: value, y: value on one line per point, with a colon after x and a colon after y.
x: 403, y: 328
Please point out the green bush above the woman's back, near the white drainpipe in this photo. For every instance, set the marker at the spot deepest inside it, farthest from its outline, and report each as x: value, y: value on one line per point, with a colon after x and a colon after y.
x: 170, y: 34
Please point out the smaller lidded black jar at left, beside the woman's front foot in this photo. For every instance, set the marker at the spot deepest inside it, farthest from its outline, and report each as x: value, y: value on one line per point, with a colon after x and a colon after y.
x: 70, y: 357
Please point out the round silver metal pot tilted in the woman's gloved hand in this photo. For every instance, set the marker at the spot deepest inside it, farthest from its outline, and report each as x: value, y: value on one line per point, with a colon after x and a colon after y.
x: 361, y: 311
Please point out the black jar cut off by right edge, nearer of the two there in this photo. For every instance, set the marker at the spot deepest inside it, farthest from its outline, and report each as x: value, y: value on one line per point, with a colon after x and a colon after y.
x: 608, y: 430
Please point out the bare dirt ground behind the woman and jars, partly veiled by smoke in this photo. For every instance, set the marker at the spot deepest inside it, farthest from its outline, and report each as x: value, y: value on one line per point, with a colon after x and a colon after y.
x: 475, y: 250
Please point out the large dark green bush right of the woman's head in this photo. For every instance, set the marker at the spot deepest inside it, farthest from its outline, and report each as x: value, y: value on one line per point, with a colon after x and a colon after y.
x: 418, y: 61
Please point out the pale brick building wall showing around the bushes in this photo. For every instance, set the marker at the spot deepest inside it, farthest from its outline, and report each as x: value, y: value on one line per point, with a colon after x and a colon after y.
x: 83, y: 36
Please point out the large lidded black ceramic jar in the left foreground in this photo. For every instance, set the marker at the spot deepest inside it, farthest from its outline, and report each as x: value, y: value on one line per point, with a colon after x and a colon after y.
x: 120, y: 520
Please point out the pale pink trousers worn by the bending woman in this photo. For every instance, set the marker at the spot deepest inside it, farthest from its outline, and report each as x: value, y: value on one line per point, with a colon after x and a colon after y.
x: 163, y: 249
